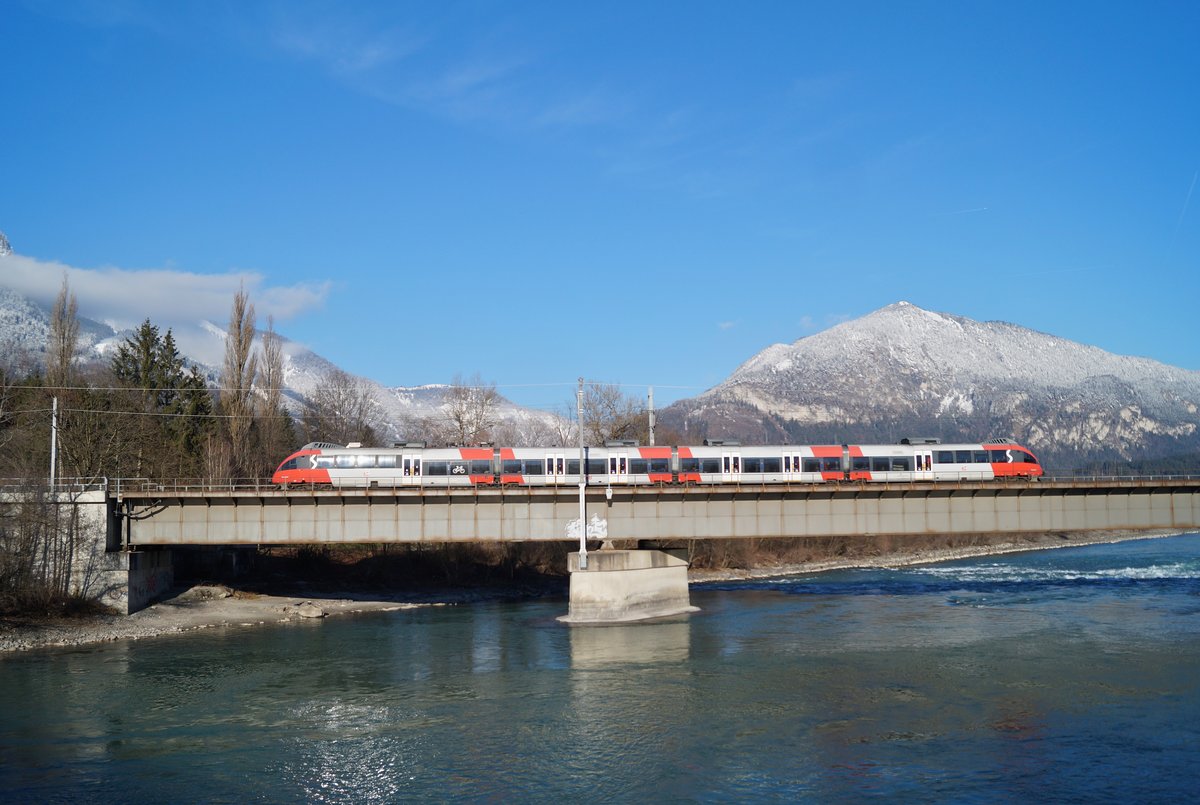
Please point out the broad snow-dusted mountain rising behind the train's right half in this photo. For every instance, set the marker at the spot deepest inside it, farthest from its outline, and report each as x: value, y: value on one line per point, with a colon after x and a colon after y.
x: 905, y: 371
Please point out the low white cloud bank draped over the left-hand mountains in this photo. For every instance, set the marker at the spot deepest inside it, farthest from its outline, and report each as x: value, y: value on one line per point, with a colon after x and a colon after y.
x: 124, y: 298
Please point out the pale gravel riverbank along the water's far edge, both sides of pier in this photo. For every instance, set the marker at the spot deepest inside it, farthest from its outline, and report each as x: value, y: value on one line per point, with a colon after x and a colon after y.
x: 218, y: 606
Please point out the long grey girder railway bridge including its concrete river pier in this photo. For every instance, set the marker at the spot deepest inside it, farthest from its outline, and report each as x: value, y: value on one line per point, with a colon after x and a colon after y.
x: 613, y: 586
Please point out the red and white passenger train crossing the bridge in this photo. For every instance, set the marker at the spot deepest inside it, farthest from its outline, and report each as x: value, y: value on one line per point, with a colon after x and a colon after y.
x: 628, y: 464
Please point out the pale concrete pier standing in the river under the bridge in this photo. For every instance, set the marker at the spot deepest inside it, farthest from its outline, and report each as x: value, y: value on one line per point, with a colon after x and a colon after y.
x: 627, y: 586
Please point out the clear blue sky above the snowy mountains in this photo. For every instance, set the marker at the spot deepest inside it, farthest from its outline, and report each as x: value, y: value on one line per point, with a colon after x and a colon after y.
x: 418, y: 191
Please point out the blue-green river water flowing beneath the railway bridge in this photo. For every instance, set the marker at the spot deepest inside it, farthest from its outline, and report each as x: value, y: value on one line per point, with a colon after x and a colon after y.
x: 1065, y: 676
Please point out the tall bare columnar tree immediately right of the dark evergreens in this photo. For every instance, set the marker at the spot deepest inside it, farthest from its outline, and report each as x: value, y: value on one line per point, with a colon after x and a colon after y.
x: 238, y: 382
